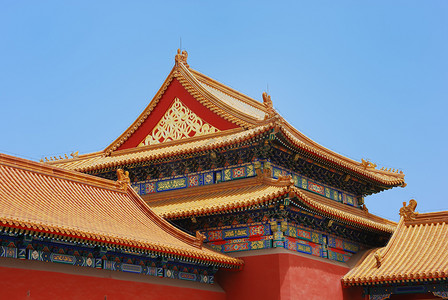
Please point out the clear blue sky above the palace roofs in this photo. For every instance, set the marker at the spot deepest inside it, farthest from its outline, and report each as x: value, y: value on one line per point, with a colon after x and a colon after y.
x: 367, y: 79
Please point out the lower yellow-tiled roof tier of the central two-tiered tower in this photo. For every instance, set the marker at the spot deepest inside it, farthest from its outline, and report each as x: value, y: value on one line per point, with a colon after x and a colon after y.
x: 255, y: 192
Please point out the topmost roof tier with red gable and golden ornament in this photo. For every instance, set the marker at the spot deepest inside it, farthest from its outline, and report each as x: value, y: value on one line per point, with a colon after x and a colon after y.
x: 192, y: 112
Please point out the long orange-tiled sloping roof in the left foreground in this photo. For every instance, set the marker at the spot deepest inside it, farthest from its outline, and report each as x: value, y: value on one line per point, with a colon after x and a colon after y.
x: 47, y: 201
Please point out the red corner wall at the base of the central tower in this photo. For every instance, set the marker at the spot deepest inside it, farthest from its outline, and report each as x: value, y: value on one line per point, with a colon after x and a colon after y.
x: 286, y: 276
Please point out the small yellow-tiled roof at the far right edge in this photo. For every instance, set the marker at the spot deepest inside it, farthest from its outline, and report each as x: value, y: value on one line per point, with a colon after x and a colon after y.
x: 416, y: 252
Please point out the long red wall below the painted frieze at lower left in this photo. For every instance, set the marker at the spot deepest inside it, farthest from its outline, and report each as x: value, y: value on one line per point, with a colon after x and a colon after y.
x: 36, y: 284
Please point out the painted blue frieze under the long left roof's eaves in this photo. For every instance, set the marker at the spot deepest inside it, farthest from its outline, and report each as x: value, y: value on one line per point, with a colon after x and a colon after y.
x: 40, y: 249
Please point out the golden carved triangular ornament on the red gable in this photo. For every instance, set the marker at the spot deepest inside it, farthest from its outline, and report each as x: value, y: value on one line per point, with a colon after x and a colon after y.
x: 179, y: 122
